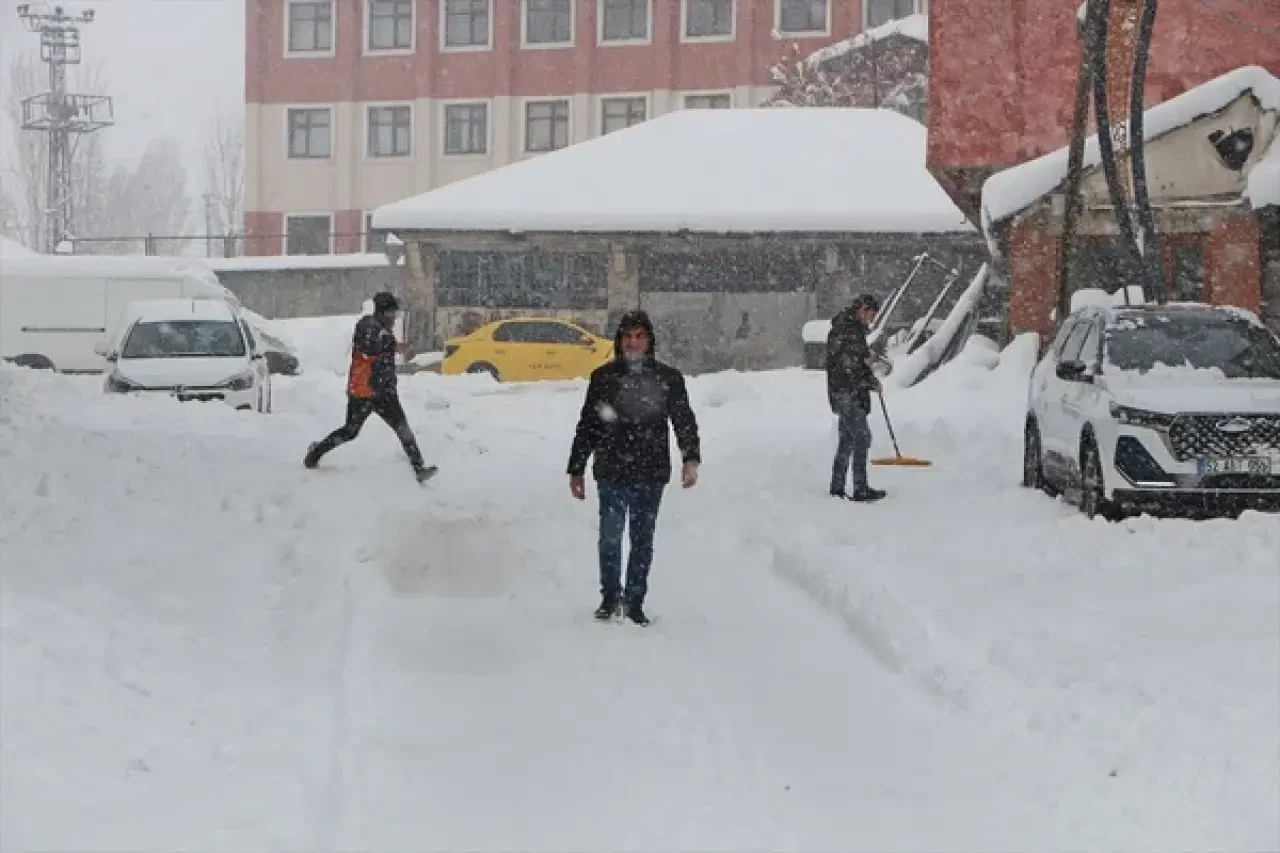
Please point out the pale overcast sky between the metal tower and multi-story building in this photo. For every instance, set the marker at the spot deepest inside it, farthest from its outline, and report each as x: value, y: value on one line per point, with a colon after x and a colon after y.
x: 172, y: 67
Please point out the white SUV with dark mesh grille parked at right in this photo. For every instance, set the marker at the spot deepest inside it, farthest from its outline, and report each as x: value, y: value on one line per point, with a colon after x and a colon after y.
x: 1156, y: 407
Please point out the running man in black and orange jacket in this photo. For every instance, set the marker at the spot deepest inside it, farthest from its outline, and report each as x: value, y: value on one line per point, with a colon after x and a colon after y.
x: 372, y: 387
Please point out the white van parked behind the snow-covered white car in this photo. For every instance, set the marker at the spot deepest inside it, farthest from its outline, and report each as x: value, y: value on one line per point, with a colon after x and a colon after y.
x: 56, y: 308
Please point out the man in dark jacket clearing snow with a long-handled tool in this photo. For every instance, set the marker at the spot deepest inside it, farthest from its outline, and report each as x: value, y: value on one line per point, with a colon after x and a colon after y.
x: 849, y: 385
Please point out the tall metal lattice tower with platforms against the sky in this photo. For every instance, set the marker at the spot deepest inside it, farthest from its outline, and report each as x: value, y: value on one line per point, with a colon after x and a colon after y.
x: 60, y: 113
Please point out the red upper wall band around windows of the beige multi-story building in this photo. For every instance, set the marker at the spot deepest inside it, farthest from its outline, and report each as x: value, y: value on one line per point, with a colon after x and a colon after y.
x: 506, y: 70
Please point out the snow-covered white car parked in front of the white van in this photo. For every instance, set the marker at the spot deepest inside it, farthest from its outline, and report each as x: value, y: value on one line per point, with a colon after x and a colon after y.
x: 190, y: 349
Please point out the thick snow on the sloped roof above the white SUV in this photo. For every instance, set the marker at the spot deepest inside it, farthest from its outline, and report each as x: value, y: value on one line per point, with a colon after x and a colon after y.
x: 1012, y: 191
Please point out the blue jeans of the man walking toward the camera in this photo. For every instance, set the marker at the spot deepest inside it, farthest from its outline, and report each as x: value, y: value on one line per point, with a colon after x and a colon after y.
x: 620, y: 504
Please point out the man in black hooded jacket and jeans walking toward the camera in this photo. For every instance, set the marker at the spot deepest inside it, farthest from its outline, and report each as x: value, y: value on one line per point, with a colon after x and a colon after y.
x: 624, y: 423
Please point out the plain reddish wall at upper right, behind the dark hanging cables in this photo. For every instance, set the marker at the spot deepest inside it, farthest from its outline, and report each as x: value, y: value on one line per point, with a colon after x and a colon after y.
x: 1003, y: 72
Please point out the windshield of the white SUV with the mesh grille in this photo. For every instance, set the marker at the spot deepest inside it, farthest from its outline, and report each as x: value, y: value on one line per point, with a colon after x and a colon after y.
x: 1240, y: 349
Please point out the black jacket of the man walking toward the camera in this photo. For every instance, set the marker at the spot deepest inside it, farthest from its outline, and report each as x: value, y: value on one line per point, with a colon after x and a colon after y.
x: 624, y: 423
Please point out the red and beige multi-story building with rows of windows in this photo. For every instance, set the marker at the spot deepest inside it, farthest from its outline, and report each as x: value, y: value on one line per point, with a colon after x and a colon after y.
x: 353, y: 104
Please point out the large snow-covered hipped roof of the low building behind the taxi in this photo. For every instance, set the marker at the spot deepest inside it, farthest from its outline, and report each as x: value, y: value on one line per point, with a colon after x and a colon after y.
x: 740, y: 171
